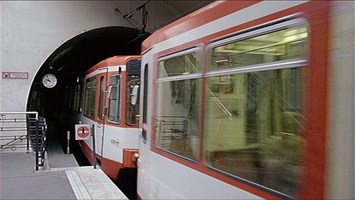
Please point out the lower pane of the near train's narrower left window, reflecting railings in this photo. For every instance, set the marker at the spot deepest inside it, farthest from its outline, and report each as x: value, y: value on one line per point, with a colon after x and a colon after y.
x: 177, y: 121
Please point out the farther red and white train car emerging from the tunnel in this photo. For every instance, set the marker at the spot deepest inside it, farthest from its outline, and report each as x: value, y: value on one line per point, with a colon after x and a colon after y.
x: 111, y: 103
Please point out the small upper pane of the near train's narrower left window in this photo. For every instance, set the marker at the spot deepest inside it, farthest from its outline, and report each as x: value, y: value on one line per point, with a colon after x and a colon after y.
x: 180, y: 65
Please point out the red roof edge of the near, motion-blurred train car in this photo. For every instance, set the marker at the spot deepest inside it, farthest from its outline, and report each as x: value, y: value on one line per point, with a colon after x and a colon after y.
x: 209, y: 13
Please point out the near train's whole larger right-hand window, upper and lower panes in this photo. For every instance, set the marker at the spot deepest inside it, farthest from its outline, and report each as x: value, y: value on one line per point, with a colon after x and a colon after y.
x: 254, y: 116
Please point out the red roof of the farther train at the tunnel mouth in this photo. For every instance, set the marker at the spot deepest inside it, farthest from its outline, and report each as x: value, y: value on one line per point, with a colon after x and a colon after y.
x: 113, y: 61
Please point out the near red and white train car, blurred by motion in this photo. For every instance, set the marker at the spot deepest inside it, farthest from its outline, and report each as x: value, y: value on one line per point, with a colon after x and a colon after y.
x: 249, y: 100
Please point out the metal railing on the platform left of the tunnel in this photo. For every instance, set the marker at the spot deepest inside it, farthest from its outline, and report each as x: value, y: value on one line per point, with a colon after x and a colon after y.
x: 23, y: 132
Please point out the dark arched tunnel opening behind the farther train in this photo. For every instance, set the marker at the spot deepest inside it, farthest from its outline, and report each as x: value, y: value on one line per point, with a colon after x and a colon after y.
x: 69, y: 63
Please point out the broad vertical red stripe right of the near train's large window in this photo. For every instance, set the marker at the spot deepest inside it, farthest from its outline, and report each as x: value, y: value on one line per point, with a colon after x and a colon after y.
x: 313, y: 186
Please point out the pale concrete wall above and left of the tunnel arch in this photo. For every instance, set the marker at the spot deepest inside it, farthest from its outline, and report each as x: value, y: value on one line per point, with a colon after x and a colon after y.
x: 32, y: 30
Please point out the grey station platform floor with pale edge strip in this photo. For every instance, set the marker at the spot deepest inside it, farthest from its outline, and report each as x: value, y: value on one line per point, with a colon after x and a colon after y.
x: 60, y: 178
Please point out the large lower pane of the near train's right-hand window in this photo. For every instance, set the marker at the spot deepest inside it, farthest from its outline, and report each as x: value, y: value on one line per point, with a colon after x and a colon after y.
x: 253, y: 124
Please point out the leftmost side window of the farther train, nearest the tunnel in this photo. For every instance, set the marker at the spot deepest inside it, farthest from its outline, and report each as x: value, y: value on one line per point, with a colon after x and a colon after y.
x: 90, y: 96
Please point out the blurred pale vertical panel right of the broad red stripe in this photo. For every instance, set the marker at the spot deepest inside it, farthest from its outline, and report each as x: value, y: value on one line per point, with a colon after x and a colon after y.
x: 341, y: 139
